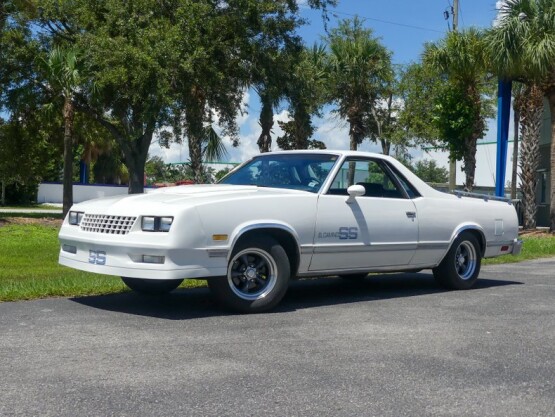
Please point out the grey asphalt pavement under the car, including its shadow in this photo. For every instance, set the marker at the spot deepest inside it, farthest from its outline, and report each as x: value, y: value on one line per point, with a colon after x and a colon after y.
x: 392, y: 345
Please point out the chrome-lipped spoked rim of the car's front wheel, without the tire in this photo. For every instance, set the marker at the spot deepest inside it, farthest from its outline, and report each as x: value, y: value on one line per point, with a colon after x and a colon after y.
x: 264, y: 261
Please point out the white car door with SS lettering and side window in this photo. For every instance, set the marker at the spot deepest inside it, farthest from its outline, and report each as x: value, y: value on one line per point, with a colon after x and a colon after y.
x: 378, y: 229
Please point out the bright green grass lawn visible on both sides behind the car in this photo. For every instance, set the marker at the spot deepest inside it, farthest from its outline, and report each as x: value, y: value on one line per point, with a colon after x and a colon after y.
x: 29, y: 262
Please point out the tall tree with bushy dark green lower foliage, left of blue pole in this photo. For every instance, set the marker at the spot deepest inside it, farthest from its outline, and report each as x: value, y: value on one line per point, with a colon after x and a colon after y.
x: 461, y: 57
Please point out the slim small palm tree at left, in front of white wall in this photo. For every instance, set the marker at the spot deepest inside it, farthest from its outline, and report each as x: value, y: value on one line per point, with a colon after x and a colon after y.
x: 63, y: 78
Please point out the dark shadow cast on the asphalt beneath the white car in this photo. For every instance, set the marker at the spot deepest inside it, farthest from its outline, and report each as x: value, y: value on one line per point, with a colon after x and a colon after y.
x: 194, y: 303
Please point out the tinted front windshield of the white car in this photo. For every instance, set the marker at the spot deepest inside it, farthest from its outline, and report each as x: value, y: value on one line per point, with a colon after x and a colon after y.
x: 297, y: 171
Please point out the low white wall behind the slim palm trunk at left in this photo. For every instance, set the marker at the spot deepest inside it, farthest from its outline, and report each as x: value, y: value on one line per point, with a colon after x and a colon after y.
x: 52, y: 192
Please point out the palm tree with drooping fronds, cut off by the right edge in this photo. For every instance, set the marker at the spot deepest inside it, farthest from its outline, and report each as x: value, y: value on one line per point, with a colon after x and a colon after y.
x: 522, y: 46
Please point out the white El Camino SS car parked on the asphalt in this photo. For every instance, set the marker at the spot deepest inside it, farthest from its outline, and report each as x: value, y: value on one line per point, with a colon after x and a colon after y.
x: 289, y: 214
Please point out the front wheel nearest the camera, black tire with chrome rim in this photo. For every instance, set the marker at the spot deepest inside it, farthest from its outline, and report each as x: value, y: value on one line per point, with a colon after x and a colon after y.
x: 257, y: 278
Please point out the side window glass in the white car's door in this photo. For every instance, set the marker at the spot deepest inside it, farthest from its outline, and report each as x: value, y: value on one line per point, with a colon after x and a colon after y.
x: 368, y: 173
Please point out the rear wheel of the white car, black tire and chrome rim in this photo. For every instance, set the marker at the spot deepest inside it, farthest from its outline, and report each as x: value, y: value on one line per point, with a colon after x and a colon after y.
x: 460, y: 268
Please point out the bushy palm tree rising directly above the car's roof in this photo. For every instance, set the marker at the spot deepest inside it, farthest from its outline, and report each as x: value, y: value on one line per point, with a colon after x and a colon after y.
x: 359, y: 69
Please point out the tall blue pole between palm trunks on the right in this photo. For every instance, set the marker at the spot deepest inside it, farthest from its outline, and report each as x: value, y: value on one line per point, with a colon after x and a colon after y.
x: 503, y: 117
